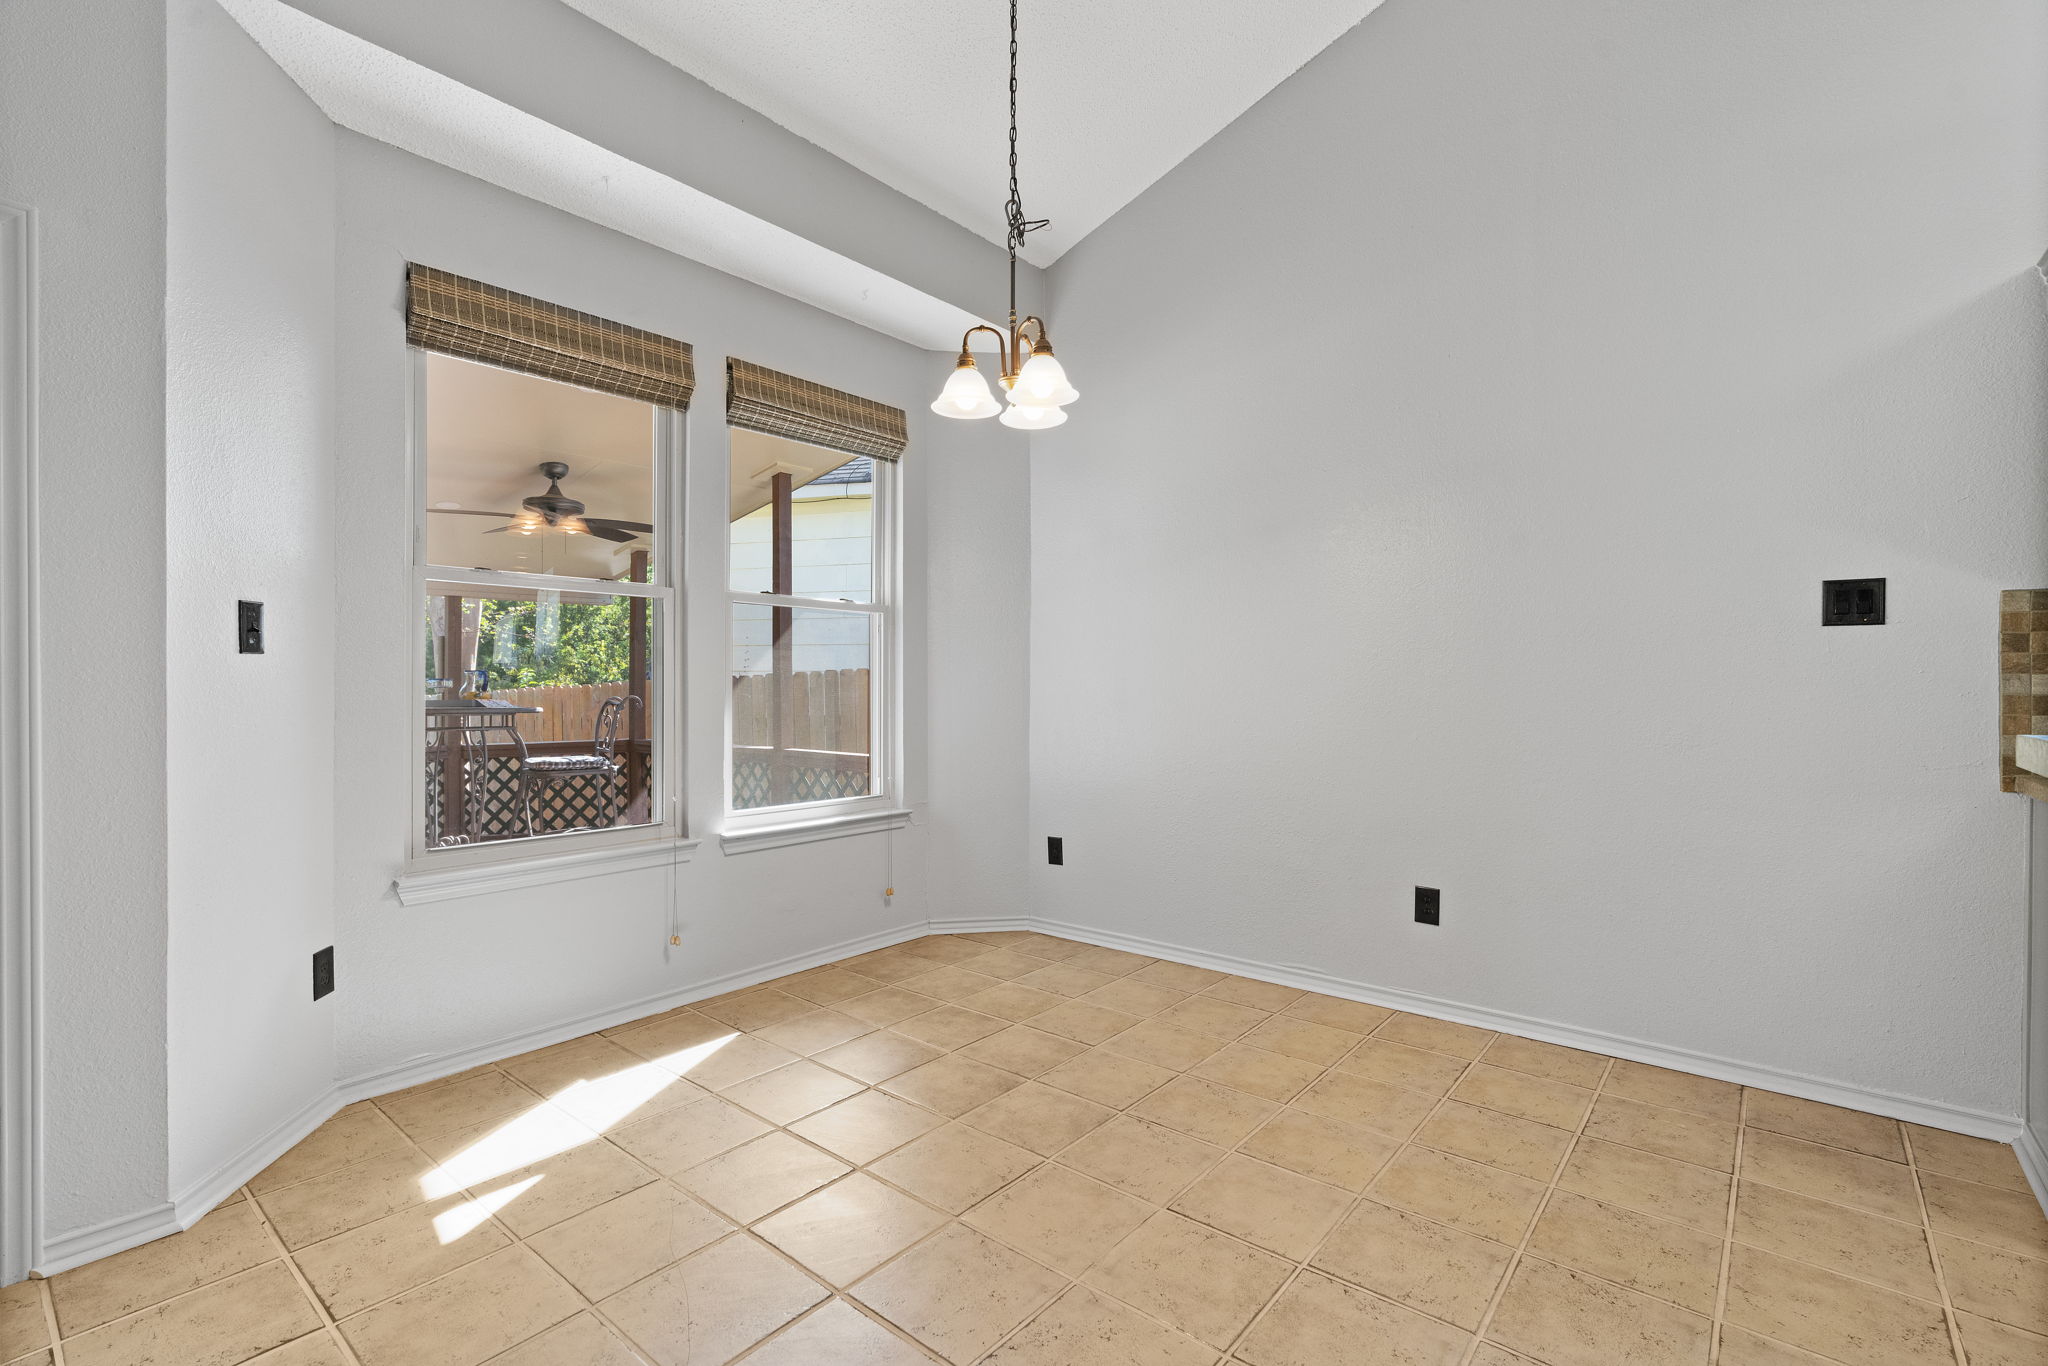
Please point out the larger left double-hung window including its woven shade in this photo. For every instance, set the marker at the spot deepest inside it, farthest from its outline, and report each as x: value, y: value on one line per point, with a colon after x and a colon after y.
x: 546, y: 585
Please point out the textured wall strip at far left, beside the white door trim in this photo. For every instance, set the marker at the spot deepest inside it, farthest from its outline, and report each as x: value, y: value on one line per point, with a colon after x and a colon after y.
x: 83, y: 146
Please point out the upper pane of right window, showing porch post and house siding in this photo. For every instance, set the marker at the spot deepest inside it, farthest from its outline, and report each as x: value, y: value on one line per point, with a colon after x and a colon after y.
x: 833, y: 519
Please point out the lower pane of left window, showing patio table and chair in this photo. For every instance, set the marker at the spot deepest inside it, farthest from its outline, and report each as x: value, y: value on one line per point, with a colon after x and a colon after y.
x: 558, y: 753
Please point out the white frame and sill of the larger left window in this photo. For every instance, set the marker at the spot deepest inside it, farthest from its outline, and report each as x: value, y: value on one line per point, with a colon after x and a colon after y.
x: 470, y: 869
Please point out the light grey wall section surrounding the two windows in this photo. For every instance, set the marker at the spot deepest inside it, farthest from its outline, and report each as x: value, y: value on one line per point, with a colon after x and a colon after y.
x: 429, y: 982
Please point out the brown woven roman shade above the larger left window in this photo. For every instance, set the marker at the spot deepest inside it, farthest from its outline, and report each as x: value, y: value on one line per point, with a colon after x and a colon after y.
x: 482, y: 323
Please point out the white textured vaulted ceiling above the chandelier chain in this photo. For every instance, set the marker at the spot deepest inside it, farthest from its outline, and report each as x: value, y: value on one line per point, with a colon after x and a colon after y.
x: 914, y: 93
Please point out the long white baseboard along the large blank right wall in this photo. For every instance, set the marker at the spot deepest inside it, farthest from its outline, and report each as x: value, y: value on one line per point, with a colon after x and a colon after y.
x: 1930, y: 1113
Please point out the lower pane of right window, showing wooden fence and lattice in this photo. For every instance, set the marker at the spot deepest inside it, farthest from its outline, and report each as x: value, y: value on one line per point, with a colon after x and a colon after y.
x: 802, y: 706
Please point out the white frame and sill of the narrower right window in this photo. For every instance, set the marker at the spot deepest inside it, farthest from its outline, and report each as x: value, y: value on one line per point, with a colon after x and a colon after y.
x: 763, y: 828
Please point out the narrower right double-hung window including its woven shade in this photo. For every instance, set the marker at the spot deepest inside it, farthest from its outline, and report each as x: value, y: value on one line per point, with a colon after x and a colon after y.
x: 812, y: 597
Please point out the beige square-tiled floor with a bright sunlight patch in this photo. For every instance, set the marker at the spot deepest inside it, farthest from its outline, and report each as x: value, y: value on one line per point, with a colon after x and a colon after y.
x: 1029, y: 1152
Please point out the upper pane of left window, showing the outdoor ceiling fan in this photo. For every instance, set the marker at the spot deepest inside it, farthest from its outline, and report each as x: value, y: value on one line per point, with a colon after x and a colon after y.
x: 493, y: 507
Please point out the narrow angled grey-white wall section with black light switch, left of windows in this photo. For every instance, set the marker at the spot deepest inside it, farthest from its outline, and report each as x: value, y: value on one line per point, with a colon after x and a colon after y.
x: 251, y: 511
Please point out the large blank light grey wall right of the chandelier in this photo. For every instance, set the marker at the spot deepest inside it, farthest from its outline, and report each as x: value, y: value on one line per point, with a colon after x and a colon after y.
x: 1465, y: 435
